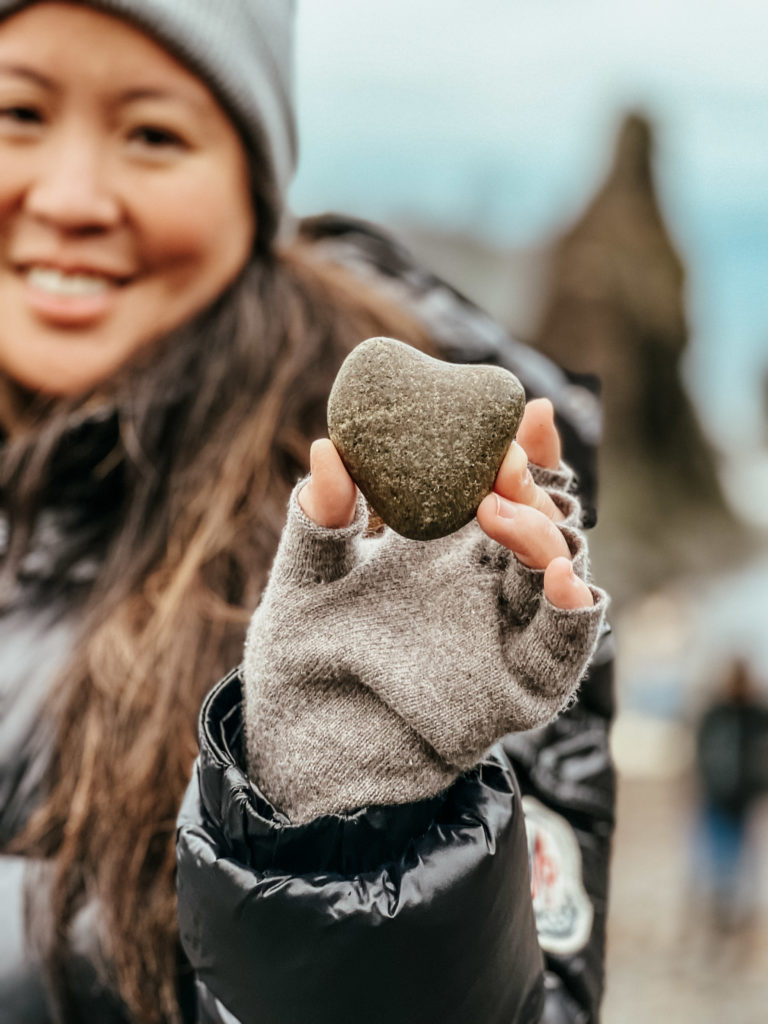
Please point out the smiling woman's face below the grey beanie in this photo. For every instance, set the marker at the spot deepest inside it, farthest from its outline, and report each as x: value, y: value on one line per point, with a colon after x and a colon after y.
x: 125, y: 204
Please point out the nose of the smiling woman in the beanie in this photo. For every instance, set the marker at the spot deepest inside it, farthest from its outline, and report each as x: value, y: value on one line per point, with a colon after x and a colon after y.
x: 71, y: 186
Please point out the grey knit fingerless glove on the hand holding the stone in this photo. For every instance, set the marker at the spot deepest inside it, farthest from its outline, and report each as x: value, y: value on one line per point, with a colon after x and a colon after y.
x: 378, y: 669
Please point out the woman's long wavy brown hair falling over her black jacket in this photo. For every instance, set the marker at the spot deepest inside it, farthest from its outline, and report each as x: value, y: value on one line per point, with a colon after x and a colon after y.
x: 209, y: 433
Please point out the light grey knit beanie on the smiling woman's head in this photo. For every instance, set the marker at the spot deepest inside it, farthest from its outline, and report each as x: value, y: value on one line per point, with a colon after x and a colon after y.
x: 244, y: 51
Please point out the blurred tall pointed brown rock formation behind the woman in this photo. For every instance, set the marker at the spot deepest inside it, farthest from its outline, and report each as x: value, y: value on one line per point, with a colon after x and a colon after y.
x: 616, y: 308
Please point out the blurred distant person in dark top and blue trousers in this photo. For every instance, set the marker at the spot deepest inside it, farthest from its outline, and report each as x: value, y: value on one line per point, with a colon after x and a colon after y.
x: 733, y: 777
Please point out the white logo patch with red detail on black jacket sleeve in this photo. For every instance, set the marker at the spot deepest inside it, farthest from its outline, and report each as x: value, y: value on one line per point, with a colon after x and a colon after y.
x: 564, y: 911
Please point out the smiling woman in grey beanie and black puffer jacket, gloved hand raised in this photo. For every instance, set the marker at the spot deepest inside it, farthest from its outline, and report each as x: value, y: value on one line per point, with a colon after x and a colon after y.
x: 168, y: 340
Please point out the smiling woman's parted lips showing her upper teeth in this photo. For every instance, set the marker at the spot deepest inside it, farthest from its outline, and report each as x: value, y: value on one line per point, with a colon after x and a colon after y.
x: 67, y: 298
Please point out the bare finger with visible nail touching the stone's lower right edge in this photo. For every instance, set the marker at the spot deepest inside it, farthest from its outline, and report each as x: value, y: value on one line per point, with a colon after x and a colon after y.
x: 527, y: 532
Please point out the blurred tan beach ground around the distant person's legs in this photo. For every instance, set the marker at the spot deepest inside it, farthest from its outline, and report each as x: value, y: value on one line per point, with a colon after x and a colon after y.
x: 662, y: 964
